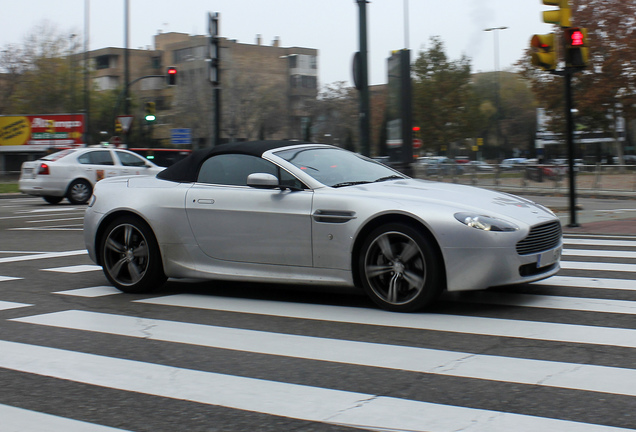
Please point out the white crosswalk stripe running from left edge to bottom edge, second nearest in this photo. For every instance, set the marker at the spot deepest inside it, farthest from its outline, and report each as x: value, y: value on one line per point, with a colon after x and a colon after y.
x: 270, y: 397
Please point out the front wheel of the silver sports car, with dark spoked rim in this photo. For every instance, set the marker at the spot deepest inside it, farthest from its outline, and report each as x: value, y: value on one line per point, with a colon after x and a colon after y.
x: 399, y: 269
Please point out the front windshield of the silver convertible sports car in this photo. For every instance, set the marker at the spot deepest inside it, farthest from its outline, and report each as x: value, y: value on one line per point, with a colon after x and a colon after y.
x: 337, y: 168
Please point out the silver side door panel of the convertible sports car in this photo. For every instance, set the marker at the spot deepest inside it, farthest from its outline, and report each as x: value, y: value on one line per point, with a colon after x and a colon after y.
x: 244, y: 224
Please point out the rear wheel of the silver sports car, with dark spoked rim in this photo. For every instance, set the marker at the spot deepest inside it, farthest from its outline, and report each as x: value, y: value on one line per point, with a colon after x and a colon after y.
x: 130, y: 256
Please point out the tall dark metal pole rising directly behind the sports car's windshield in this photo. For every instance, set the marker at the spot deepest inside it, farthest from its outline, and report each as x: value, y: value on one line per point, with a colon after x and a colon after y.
x: 364, y: 120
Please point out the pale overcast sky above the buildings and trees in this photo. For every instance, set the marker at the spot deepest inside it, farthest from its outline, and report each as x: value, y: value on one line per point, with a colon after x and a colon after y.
x: 331, y: 26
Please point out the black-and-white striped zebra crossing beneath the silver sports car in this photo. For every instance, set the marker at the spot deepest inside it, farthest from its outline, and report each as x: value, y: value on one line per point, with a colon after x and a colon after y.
x: 556, y: 355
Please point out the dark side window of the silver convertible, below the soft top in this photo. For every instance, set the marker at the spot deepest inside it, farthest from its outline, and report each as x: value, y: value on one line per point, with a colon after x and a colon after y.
x: 233, y: 169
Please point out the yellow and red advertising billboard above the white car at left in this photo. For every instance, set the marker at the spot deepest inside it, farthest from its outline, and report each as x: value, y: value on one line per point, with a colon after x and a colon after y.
x: 41, y: 132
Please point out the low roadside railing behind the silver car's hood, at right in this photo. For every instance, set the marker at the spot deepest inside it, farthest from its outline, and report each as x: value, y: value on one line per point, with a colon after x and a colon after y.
x: 591, y: 180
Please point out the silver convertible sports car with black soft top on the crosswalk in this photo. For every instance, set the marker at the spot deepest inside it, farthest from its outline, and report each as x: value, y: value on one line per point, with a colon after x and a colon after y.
x: 284, y: 212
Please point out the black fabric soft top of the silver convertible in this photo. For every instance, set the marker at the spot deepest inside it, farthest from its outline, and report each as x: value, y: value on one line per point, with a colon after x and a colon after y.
x: 187, y: 170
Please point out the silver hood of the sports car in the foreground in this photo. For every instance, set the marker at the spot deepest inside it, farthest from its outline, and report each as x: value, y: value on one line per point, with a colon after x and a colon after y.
x: 414, y: 192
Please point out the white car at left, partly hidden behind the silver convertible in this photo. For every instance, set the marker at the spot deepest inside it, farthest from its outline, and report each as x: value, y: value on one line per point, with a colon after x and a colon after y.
x: 72, y: 174
